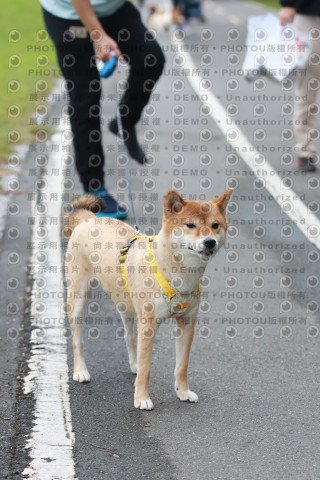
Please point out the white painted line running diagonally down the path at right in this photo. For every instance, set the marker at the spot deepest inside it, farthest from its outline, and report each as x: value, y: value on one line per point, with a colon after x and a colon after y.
x: 305, y: 220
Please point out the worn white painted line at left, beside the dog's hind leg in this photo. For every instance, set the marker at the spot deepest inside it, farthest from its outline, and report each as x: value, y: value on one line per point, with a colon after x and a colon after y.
x: 52, y: 439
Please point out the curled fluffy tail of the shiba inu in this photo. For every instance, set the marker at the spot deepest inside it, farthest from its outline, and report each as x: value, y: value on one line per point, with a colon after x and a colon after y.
x: 79, y: 210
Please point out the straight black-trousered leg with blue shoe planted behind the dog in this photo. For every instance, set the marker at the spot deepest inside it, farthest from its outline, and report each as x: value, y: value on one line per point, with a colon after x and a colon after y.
x: 76, y: 60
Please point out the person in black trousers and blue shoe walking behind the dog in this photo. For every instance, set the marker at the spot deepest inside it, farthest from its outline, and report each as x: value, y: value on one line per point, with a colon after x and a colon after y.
x: 81, y: 30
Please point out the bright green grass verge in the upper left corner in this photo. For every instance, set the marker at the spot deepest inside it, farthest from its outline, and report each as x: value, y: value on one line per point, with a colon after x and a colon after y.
x: 28, y: 73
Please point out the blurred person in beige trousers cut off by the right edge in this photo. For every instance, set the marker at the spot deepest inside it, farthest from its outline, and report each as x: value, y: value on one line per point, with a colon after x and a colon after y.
x: 305, y: 16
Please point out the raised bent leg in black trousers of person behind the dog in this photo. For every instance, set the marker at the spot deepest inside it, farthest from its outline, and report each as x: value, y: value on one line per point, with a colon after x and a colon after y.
x: 146, y: 62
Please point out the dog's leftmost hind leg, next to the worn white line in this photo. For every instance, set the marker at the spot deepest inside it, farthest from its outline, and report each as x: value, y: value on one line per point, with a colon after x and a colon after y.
x: 78, y: 293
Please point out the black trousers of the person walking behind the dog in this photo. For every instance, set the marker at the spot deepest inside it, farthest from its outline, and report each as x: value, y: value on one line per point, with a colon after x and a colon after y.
x: 146, y: 61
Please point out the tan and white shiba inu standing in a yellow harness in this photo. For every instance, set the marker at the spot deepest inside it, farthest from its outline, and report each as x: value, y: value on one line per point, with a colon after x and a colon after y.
x: 152, y: 278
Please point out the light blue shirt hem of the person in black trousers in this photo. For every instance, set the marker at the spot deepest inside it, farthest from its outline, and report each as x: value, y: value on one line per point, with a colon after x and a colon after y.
x: 65, y: 9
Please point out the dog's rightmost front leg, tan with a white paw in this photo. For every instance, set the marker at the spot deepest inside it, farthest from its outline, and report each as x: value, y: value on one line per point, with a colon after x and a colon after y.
x: 183, y: 346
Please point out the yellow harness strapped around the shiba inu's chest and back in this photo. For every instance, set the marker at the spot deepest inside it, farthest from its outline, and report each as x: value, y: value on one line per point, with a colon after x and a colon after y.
x: 178, y: 303
